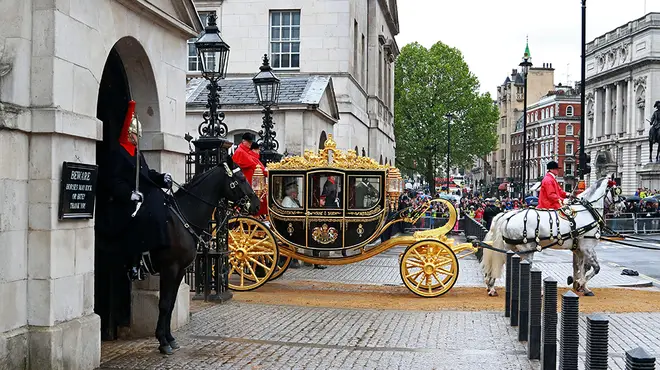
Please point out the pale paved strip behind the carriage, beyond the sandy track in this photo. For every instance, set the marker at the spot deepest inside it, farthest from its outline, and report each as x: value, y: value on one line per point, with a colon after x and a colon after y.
x: 383, y: 269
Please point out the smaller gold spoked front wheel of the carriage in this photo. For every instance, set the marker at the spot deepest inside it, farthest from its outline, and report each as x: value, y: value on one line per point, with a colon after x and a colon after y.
x: 429, y: 268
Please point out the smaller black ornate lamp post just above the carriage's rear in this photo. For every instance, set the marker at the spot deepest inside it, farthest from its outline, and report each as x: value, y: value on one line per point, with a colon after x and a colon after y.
x: 267, y: 87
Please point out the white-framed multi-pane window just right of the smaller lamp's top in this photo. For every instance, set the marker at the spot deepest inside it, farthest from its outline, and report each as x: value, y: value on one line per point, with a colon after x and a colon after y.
x: 285, y: 39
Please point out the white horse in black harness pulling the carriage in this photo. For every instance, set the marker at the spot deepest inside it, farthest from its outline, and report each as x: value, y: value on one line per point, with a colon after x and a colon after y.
x: 576, y: 227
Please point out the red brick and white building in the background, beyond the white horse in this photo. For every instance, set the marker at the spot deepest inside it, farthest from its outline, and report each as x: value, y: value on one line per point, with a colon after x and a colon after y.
x: 553, y: 127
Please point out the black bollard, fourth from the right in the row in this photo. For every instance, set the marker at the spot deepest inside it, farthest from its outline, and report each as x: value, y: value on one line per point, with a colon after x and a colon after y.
x: 549, y: 327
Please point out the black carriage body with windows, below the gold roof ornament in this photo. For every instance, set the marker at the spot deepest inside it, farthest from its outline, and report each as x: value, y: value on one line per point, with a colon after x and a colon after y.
x: 333, y: 209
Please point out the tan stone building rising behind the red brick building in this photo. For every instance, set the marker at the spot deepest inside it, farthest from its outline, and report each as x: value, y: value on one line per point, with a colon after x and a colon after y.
x: 510, y: 100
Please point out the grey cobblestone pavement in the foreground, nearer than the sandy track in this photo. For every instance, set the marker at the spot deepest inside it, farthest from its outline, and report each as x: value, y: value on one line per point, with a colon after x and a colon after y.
x: 248, y: 336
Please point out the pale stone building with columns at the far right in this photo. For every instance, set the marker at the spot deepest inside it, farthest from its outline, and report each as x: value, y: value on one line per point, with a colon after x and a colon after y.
x: 622, y: 83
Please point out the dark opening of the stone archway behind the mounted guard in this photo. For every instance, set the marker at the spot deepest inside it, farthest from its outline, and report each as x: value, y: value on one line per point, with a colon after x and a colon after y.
x: 112, y: 289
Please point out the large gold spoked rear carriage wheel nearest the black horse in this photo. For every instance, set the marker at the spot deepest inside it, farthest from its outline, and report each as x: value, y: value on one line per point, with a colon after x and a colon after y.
x: 253, y: 253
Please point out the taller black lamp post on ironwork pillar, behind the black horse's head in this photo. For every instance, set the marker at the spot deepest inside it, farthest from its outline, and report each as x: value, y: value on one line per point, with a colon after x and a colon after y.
x: 211, y: 149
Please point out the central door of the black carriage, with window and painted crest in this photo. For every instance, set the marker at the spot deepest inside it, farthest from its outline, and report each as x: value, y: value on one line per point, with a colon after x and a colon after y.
x: 325, y: 204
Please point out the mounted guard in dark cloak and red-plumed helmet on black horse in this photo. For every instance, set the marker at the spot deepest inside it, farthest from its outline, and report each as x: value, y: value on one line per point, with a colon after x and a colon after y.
x: 146, y: 230
